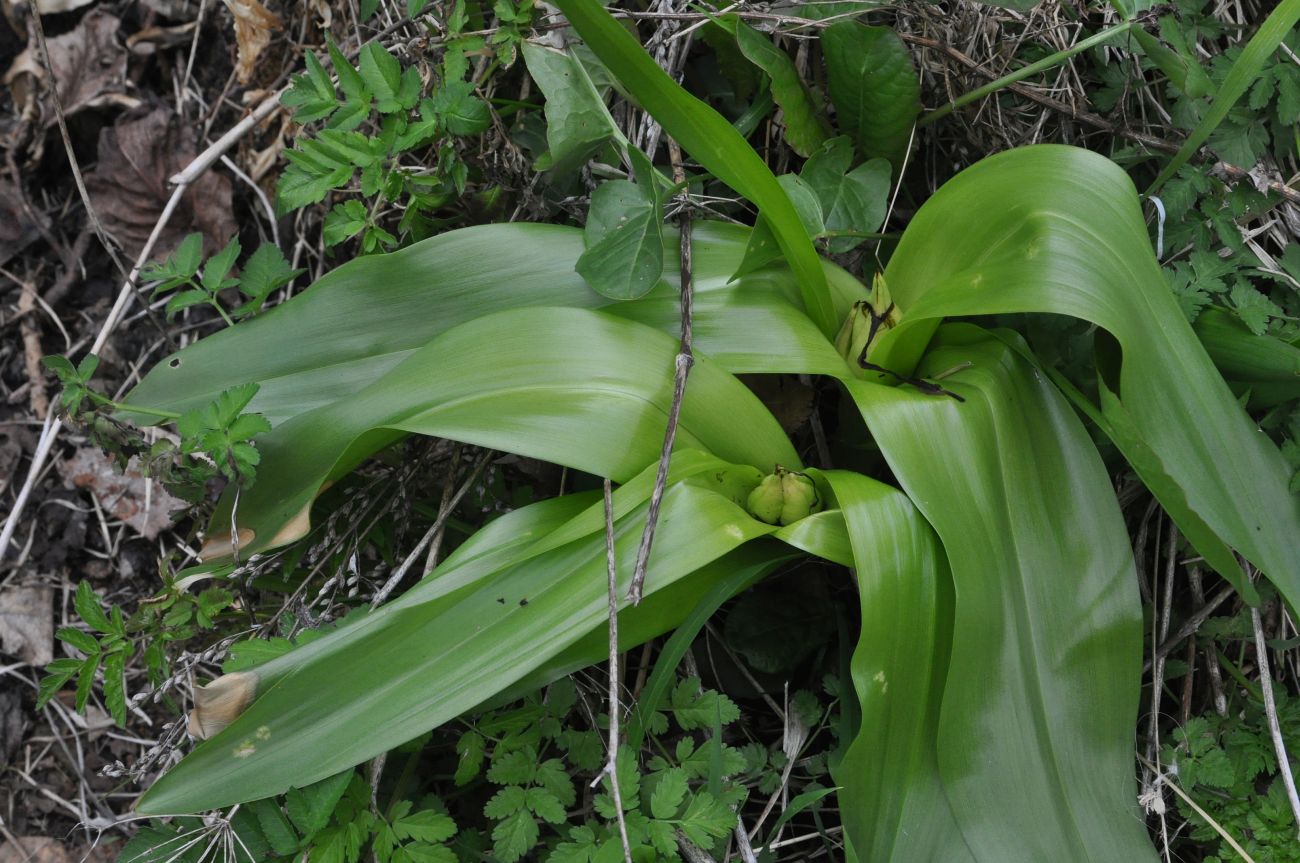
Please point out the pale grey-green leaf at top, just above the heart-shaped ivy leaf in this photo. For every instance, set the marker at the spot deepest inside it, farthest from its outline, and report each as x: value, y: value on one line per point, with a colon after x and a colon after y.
x: 578, y: 123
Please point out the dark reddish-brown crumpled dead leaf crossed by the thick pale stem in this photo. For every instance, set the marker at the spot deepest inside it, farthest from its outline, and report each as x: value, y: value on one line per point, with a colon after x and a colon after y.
x: 129, y: 185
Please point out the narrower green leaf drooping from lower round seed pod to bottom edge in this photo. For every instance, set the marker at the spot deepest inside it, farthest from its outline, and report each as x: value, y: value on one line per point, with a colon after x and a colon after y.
x: 891, y: 799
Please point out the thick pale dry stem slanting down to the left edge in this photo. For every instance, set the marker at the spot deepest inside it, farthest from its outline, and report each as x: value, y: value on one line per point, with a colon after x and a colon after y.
x: 193, y: 172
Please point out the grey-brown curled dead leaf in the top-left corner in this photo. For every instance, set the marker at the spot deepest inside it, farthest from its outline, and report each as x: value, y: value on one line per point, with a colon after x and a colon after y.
x: 89, y: 64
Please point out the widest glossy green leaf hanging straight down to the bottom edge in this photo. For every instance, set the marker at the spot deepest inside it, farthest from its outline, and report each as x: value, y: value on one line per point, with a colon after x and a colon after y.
x: 1035, y: 727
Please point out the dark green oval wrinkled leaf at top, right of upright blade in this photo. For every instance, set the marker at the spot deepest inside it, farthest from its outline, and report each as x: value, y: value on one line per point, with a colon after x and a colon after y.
x: 874, y: 89
